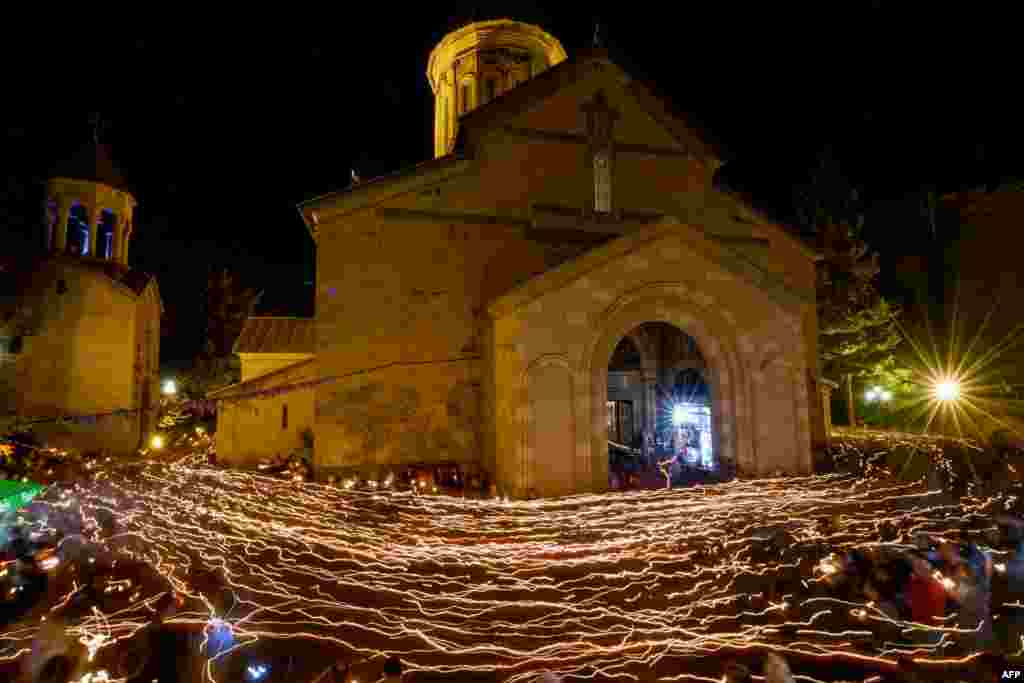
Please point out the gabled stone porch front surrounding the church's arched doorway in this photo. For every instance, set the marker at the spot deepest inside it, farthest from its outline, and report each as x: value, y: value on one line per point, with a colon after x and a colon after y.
x: 753, y: 347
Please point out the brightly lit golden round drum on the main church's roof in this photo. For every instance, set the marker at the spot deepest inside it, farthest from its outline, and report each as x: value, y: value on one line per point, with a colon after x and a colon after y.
x: 475, y: 65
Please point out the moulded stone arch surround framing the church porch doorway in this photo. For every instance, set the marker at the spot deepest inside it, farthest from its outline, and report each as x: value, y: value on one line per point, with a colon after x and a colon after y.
x: 673, y: 305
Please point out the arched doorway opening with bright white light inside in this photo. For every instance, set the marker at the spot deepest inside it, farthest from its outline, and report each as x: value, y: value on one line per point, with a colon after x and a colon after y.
x: 659, y: 407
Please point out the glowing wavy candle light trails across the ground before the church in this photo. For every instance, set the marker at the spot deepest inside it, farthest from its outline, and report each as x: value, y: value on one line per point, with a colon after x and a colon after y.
x: 638, y: 586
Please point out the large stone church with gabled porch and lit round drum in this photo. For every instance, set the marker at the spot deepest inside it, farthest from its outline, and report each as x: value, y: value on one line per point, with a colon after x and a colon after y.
x: 563, y: 275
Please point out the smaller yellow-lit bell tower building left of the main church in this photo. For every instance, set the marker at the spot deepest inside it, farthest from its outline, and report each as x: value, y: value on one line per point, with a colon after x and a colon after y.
x: 79, y: 328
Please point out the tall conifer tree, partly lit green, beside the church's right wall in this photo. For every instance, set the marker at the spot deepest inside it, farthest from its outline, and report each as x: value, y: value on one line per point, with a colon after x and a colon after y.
x: 858, y: 328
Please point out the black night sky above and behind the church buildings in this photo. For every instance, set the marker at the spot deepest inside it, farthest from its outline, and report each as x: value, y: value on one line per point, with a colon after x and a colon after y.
x: 223, y: 127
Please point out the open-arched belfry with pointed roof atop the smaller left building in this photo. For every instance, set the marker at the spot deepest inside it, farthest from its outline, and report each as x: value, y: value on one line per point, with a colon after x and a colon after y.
x: 90, y: 211
